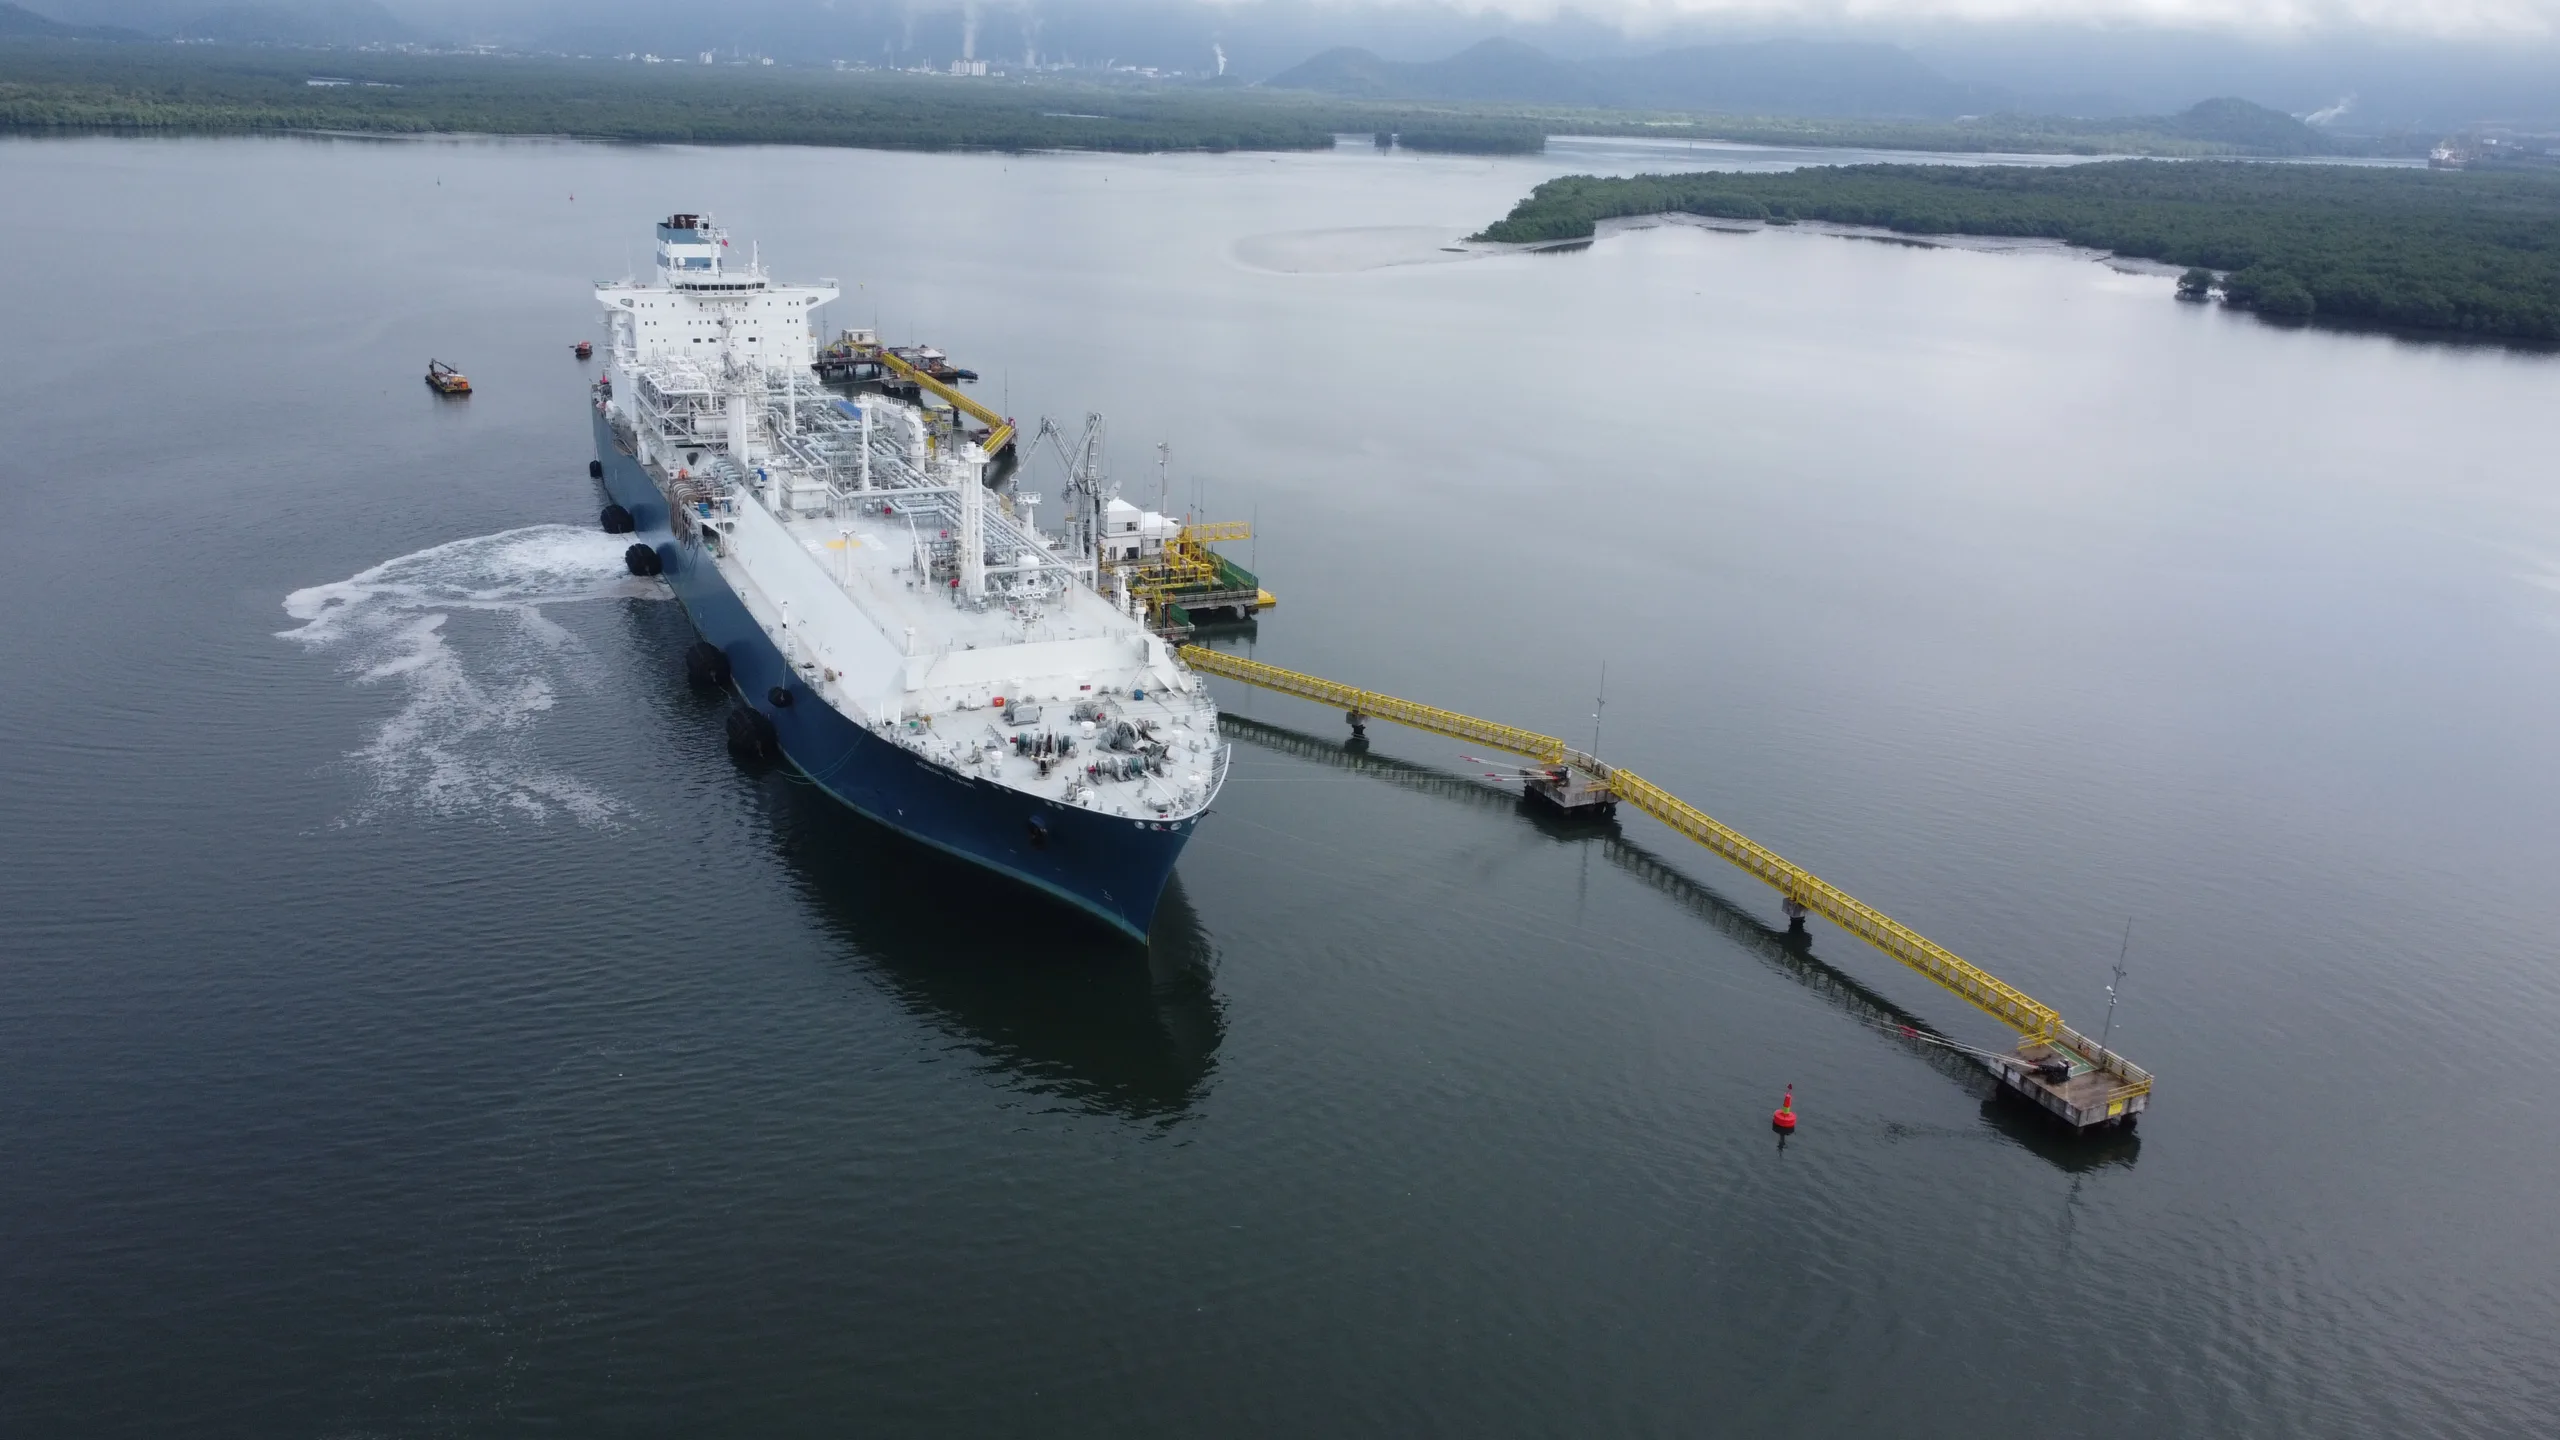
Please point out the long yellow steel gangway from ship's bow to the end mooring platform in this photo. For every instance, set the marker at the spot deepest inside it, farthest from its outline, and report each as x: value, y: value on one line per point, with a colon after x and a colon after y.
x: 2054, y: 1065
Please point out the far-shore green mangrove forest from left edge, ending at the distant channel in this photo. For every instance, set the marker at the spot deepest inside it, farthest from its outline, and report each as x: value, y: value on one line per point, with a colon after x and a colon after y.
x: 55, y: 86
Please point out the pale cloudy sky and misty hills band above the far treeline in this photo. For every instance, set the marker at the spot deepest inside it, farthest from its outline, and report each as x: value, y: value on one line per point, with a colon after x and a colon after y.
x: 2372, y: 68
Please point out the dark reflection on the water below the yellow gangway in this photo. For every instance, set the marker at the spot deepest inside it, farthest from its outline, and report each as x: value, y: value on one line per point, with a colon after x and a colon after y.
x: 1780, y: 949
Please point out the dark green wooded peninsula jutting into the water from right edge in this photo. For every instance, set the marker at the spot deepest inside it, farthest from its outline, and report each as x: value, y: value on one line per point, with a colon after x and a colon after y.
x: 2405, y: 247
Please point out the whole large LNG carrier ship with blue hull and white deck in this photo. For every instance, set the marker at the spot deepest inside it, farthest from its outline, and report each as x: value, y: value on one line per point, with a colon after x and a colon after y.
x: 913, y: 644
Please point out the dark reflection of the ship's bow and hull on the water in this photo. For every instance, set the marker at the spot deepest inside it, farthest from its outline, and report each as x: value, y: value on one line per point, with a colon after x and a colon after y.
x: 1061, y: 1003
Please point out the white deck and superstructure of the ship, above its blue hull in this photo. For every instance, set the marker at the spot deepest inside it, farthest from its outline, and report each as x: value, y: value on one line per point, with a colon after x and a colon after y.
x: 864, y: 544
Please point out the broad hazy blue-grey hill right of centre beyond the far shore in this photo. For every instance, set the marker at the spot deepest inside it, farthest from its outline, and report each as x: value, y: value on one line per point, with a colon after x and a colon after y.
x: 1768, y: 78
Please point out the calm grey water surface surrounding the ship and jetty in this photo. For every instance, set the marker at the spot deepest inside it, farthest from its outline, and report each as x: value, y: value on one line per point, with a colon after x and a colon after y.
x: 413, y: 1024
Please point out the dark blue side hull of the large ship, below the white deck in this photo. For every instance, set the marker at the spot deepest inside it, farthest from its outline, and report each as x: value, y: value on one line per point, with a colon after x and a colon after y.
x: 1105, y: 865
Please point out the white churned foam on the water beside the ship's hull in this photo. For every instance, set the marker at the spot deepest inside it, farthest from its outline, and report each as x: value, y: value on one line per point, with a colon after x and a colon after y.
x: 462, y: 739
